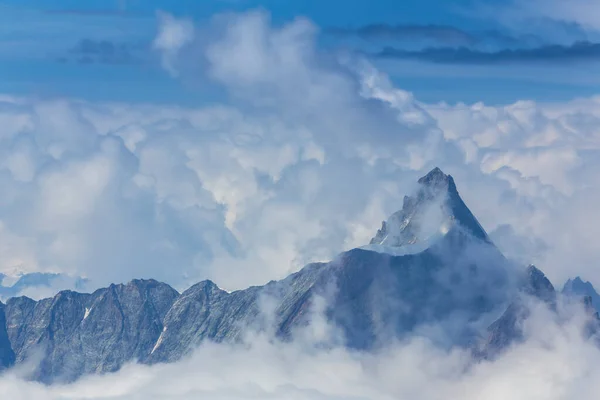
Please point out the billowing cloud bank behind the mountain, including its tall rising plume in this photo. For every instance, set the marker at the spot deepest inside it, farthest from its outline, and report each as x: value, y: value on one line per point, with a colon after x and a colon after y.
x: 251, y: 191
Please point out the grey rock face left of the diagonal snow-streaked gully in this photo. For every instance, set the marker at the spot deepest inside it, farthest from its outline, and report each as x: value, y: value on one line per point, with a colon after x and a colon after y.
x: 73, y: 333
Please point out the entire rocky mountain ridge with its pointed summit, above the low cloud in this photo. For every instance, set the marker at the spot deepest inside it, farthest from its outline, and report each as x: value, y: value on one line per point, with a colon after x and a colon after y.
x: 430, y: 265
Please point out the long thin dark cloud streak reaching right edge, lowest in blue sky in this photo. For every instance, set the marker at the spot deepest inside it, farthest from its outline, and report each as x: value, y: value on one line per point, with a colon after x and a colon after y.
x: 579, y: 51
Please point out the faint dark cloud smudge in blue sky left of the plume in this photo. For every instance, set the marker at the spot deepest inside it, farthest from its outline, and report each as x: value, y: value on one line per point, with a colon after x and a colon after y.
x: 91, y: 51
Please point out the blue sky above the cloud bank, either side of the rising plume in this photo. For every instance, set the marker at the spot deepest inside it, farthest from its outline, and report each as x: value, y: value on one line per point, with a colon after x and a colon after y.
x: 54, y: 48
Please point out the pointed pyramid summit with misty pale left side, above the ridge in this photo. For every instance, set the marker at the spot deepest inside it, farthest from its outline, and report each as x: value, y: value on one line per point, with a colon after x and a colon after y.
x: 432, y: 212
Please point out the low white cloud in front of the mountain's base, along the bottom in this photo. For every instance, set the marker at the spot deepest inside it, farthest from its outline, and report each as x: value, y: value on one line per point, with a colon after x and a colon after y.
x: 555, y: 362
